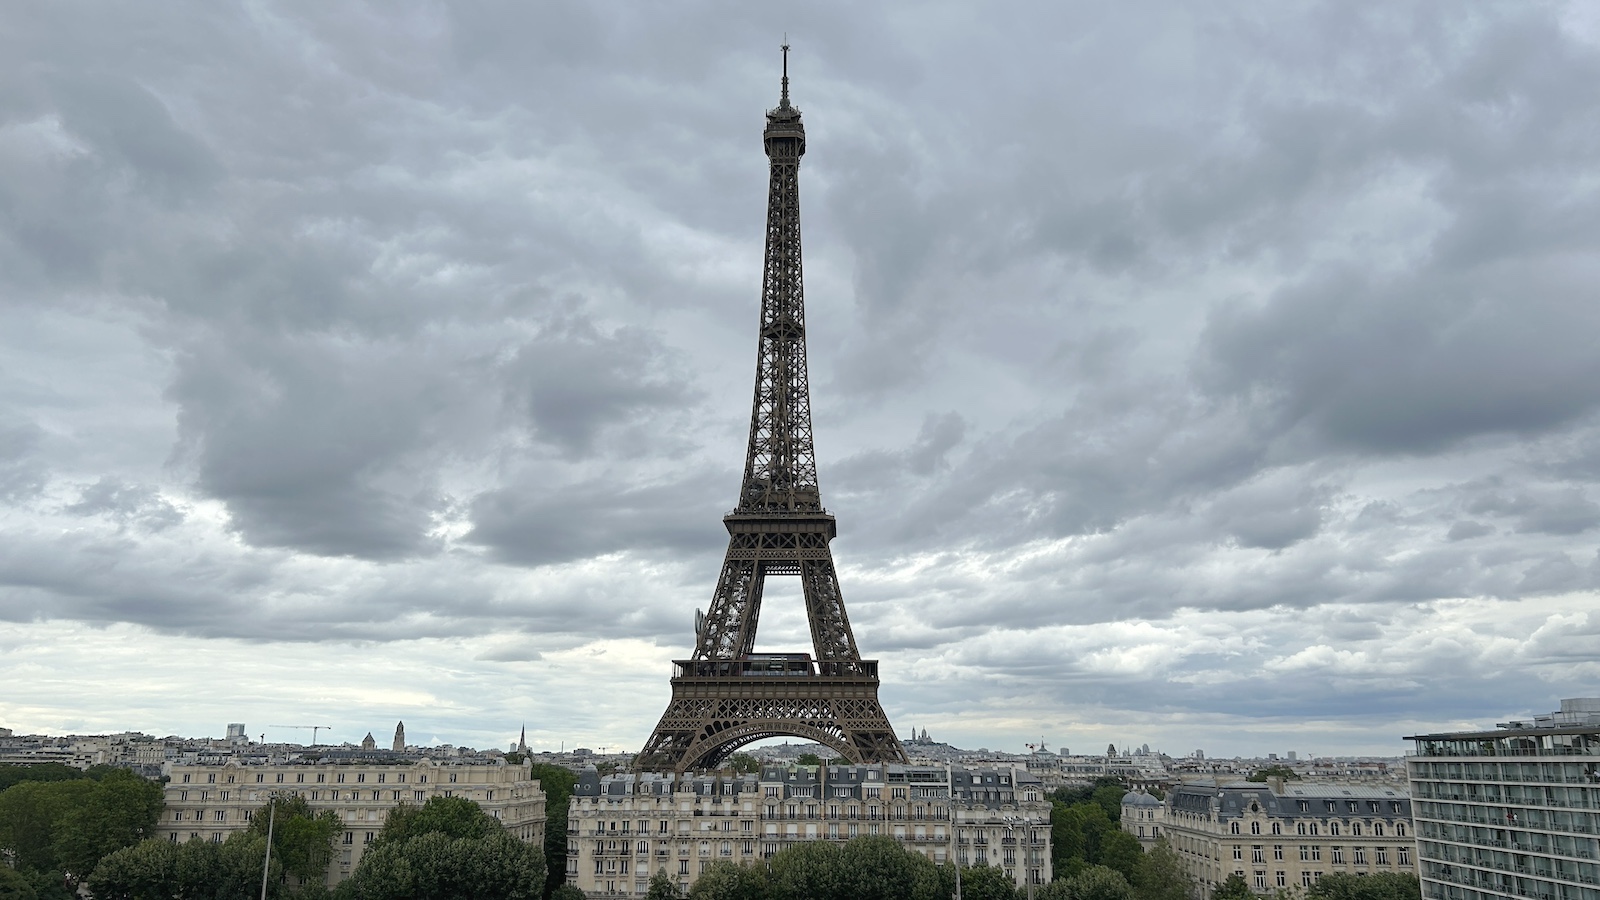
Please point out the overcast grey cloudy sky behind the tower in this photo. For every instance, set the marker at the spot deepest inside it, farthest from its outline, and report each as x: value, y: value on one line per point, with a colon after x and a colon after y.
x: 1198, y: 376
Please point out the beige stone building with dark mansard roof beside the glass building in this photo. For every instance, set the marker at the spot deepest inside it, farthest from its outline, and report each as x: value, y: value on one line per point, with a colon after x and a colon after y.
x: 1279, y: 835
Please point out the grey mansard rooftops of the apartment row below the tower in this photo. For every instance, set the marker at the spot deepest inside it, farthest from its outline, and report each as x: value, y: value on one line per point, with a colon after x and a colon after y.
x: 990, y: 787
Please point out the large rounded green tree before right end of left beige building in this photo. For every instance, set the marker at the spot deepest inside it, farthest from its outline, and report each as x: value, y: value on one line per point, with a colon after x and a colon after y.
x: 446, y: 850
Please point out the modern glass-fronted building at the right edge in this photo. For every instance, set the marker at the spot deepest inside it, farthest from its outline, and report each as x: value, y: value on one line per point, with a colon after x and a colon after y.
x: 1511, y: 813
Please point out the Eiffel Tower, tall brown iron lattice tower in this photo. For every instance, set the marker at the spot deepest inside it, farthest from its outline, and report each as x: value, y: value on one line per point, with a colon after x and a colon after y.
x: 727, y: 696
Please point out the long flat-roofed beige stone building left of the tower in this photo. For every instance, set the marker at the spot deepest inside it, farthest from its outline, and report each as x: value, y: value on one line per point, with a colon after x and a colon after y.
x: 209, y: 803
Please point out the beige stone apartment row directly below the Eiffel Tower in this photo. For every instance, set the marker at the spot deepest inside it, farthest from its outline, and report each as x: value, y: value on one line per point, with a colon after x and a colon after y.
x: 625, y: 829
